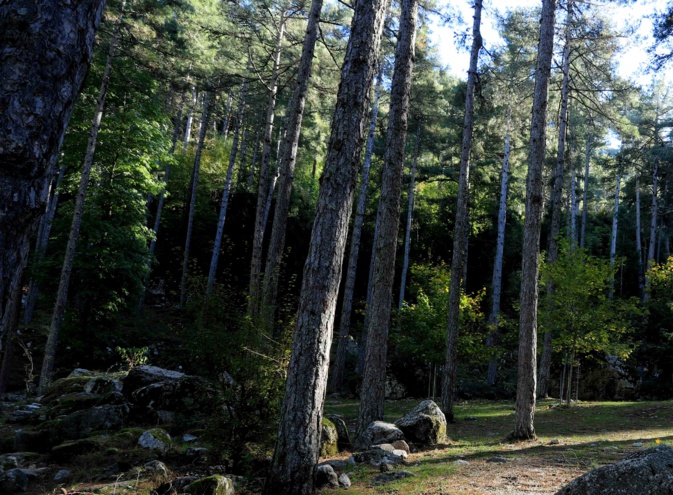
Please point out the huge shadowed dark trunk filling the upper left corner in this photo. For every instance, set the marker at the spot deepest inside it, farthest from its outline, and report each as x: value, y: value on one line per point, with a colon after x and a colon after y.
x: 45, y: 49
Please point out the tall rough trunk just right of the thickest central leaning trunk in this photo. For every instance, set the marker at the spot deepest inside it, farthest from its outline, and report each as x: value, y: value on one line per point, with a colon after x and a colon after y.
x: 372, y: 393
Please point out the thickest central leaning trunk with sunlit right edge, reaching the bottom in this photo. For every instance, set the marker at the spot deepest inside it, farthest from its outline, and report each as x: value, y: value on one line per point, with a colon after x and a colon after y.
x: 297, y: 446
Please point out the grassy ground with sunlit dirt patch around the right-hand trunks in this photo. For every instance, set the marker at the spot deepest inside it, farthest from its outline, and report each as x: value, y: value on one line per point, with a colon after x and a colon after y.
x: 571, y: 441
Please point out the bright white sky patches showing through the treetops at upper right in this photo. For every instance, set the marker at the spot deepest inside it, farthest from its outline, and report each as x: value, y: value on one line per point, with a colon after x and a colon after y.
x: 631, y: 63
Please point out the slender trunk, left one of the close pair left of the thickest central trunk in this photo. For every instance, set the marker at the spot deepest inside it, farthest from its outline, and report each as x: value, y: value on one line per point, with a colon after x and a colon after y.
x: 264, y: 183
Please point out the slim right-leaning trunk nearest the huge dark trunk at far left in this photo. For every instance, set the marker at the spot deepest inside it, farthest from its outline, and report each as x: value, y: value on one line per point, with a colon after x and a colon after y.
x: 66, y: 270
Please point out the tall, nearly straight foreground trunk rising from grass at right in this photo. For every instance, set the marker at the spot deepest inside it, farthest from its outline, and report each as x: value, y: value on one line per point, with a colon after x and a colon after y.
x: 525, y: 393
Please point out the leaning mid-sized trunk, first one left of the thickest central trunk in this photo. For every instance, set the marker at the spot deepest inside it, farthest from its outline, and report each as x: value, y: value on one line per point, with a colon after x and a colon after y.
x: 287, y: 165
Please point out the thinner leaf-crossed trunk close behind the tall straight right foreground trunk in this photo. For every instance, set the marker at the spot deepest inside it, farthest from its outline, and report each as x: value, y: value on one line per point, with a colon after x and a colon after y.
x: 556, y: 206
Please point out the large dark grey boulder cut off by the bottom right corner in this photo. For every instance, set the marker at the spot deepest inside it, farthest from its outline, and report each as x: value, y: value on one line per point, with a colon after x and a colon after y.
x: 646, y: 472
